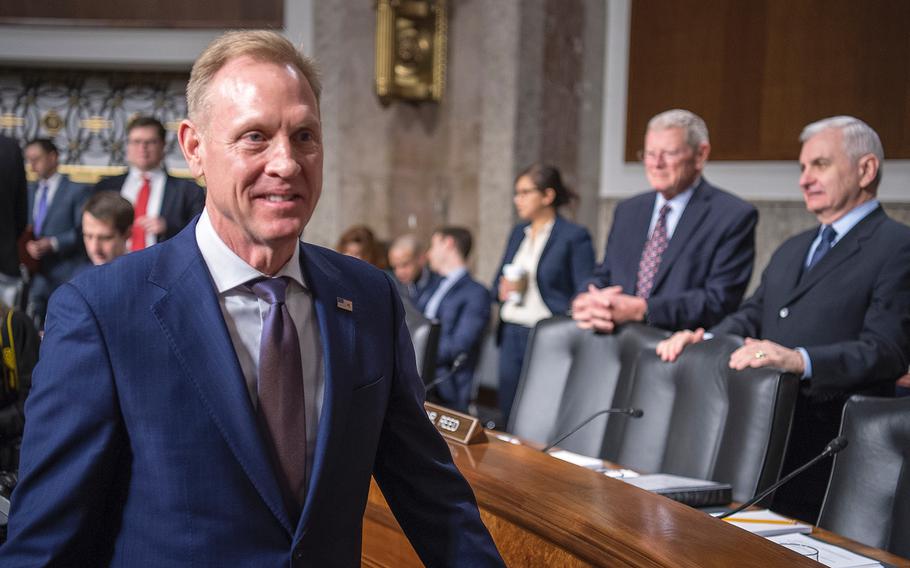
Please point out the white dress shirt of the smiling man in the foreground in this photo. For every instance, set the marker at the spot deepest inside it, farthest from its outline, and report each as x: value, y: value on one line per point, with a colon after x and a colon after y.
x: 244, y: 314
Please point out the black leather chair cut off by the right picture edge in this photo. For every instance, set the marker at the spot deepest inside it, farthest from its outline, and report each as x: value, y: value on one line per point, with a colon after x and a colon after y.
x: 868, y: 496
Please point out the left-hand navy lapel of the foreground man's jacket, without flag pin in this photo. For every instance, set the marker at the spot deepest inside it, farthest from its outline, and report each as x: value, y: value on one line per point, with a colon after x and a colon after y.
x: 189, y: 309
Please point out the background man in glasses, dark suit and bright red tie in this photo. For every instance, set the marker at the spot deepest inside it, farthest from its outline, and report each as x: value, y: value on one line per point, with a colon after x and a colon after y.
x: 162, y: 203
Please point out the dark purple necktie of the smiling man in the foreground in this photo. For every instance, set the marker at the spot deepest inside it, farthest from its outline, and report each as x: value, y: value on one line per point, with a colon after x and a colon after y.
x: 280, y: 389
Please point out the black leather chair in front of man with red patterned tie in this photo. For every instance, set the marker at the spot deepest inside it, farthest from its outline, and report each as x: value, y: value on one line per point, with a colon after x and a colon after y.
x: 570, y: 374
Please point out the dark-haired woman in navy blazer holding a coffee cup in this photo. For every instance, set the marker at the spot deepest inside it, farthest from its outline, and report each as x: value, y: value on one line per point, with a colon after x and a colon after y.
x: 556, y: 258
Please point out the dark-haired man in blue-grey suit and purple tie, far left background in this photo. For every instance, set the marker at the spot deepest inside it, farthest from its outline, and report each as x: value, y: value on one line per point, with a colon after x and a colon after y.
x: 55, y: 209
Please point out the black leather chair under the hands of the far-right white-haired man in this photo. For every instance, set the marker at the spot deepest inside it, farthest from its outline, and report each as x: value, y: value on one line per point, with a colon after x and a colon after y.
x: 704, y: 420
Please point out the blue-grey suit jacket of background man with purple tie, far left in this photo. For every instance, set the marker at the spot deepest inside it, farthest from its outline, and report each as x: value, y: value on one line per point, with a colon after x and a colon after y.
x: 63, y: 221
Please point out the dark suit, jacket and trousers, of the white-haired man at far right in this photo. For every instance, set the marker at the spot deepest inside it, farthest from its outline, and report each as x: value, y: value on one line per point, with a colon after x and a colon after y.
x: 851, y: 313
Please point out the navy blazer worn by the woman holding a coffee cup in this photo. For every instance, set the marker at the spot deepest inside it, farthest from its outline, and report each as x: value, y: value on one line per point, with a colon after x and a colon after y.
x: 565, y: 264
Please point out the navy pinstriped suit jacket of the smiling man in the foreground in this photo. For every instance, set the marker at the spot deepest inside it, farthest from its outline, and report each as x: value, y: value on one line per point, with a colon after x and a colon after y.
x: 141, y: 446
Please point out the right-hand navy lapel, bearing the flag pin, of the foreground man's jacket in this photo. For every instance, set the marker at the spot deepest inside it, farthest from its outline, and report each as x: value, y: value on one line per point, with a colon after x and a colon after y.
x: 337, y: 335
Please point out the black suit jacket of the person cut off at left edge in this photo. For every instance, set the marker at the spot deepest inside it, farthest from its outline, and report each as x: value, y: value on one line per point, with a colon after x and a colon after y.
x: 13, y: 204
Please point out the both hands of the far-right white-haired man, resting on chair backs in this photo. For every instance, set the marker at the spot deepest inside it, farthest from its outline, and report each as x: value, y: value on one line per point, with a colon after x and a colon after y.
x: 754, y: 353
